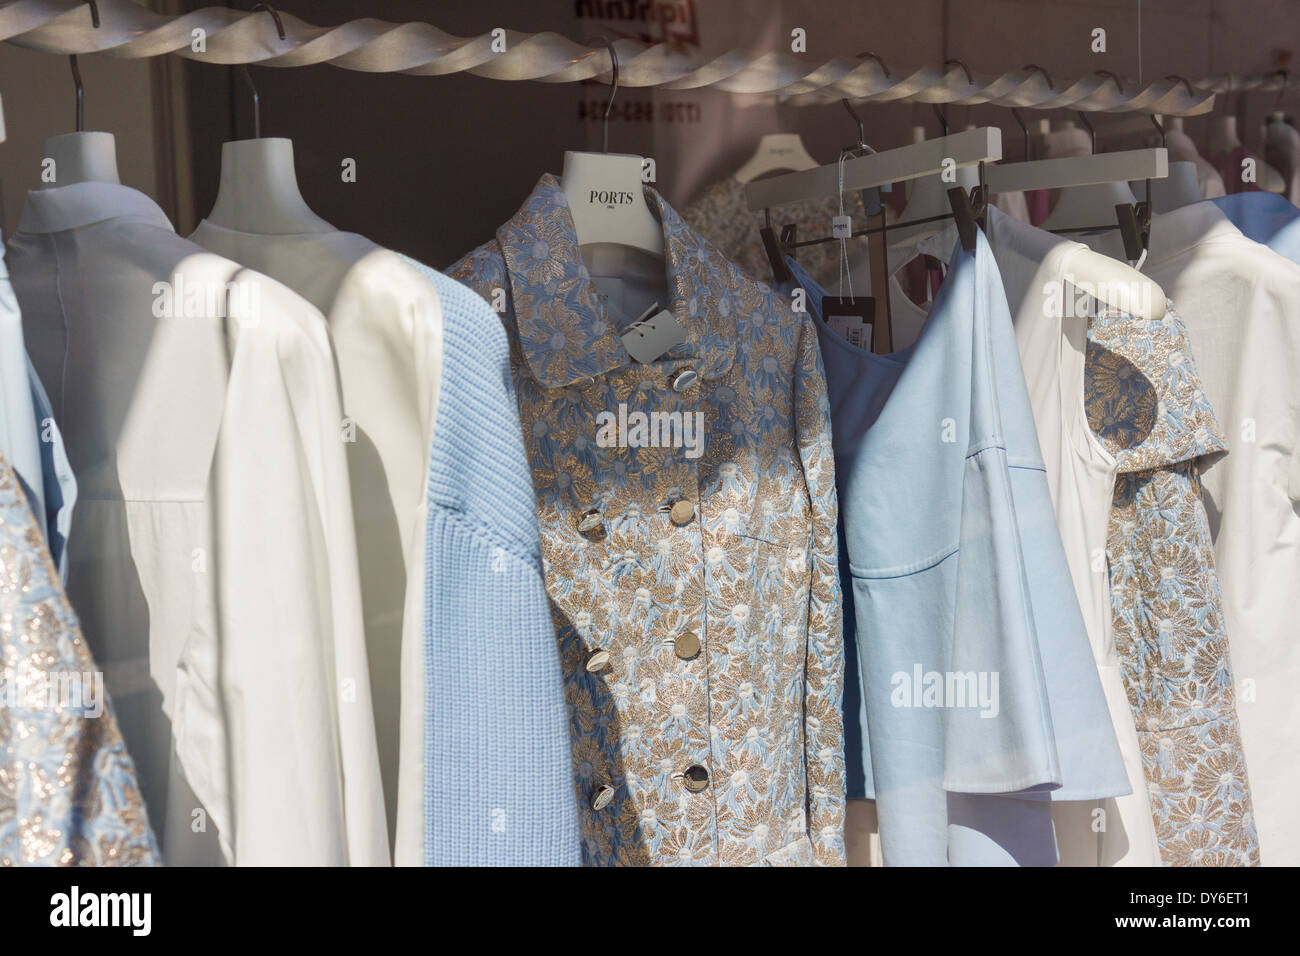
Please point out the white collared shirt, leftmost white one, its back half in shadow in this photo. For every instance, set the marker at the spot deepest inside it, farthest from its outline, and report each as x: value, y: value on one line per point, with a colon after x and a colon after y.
x: 214, y: 561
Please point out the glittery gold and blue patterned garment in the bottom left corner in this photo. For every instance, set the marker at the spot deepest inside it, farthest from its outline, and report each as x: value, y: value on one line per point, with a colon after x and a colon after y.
x: 68, y: 791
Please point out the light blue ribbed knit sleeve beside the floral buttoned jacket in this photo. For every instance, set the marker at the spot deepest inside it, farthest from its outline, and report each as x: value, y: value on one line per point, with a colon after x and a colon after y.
x: 499, y: 780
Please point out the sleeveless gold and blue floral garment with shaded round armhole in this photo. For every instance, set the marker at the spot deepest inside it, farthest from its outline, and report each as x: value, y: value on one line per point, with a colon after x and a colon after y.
x: 1146, y: 405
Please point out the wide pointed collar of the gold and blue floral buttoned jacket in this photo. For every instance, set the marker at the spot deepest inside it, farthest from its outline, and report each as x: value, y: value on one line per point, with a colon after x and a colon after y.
x: 564, y: 331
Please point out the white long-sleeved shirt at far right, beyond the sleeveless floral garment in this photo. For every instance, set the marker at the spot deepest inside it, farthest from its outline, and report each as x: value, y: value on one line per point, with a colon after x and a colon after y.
x: 1241, y: 302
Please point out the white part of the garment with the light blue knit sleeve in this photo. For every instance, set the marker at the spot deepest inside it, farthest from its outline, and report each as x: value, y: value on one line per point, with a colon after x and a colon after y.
x: 387, y: 325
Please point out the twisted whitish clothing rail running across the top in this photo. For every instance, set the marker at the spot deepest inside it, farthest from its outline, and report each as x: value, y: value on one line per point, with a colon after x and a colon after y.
x: 272, y: 38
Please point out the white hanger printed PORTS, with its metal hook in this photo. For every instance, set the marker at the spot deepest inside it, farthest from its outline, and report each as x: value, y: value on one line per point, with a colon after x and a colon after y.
x: 606, y: 193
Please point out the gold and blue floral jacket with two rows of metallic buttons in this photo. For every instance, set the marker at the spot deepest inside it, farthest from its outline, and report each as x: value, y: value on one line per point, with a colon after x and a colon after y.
x: 699, y: 613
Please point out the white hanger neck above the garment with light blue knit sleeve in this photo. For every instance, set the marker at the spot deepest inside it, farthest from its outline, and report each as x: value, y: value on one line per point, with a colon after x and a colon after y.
x: 259, y: 191
